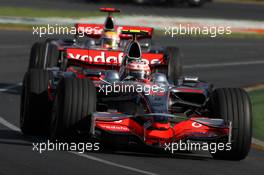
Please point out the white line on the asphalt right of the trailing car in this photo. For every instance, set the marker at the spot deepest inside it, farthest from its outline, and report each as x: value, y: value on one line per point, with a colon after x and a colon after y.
x: 213, y: 65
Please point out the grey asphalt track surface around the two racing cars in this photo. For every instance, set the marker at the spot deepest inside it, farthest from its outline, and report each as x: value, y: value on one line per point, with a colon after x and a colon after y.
x: 226, y: 62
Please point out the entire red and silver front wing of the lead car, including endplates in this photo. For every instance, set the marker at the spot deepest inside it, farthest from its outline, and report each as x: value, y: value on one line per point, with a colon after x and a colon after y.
x: 152, y: 129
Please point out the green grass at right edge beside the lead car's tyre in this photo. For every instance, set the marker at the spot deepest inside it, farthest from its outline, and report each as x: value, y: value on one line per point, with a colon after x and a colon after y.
x: 257, y: 98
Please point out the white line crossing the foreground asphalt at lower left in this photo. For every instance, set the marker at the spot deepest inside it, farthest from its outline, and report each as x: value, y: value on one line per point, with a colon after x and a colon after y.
x: 15, y: 128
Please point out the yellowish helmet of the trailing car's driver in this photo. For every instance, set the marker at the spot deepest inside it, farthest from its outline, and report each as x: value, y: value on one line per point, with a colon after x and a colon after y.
x: 110, y: 40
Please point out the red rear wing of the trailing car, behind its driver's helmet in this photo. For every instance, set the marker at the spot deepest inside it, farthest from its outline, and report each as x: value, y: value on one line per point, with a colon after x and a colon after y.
x: 96, y: 30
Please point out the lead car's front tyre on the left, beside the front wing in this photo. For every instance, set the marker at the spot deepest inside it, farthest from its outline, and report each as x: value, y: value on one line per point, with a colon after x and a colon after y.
x: 75, y: 102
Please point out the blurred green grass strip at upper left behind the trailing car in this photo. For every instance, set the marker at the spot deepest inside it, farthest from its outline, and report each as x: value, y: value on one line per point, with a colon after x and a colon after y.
x: 30, y: 12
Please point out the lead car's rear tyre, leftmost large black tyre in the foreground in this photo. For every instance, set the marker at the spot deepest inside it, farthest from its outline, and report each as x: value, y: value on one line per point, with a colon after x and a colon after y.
x: 35, y: 106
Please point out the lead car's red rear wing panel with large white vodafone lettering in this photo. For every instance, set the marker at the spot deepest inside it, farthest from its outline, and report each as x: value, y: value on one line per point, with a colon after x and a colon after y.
x: 108, y: 57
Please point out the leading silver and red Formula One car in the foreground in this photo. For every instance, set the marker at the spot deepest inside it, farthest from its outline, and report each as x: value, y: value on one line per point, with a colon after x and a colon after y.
x: 133, y: 105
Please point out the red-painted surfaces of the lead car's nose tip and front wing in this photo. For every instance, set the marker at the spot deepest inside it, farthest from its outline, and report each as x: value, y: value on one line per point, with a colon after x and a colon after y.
x: 161, y: 133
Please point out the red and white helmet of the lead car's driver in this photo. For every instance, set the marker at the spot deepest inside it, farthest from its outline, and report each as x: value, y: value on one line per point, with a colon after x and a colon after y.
x: 138, y: 69
